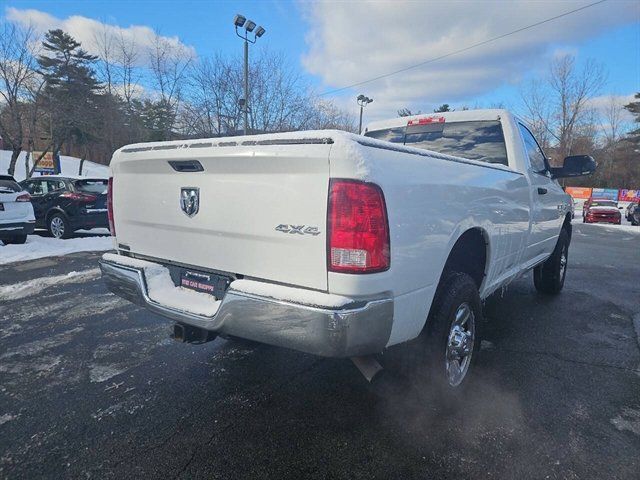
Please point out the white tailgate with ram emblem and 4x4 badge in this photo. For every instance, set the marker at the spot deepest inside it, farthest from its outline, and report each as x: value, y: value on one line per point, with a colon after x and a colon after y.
x: 262, y: 209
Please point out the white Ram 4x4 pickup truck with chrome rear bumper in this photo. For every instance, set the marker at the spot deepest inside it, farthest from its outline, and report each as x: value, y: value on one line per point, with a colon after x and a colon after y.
x: 337, y: 244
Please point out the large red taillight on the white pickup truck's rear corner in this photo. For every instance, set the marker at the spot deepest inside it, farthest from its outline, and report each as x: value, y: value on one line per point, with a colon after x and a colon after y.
x: 358, y: 229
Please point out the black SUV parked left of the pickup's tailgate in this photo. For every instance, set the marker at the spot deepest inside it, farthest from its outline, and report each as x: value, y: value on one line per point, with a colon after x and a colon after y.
x: 64, y: 204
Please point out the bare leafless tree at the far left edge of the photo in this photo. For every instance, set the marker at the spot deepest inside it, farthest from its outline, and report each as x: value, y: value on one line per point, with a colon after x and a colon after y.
x: 19, y: 84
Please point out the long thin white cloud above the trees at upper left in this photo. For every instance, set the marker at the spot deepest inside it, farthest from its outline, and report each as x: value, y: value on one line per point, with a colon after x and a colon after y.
x: 88, y: 32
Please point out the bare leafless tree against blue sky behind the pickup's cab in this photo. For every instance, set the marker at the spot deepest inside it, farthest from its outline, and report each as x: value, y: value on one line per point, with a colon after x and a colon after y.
x: 557, y: 107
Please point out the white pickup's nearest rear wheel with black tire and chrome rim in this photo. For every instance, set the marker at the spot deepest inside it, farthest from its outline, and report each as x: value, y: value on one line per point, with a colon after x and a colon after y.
x: 457, y: 297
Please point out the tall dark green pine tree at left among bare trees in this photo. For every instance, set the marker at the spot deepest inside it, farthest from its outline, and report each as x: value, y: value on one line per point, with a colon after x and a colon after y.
x: 71, y: 89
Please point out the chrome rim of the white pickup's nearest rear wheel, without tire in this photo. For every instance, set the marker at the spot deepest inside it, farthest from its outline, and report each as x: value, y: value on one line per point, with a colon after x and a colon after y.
x: 460, y: 345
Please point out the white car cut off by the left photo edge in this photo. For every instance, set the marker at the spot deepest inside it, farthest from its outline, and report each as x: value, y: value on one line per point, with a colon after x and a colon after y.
x: 16, y: 212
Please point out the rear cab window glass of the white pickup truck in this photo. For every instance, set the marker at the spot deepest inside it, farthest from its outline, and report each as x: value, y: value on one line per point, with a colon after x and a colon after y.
x: 481, y: 140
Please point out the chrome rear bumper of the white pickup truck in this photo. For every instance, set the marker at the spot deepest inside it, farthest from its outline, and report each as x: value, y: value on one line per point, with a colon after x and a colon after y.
x: 357, y: 329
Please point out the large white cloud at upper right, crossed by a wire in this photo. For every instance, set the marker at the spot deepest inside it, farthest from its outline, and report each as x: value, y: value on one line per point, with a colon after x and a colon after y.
x: 354, y: 41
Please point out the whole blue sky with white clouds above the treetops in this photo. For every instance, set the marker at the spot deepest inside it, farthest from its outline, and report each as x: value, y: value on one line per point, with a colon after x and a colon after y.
x: 333, y: 44
